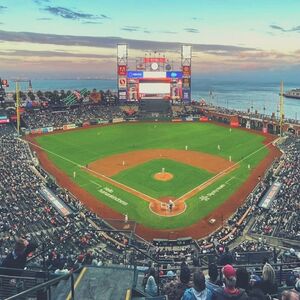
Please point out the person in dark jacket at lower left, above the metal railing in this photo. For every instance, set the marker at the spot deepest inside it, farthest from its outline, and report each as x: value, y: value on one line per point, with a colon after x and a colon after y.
x: 18, y: 257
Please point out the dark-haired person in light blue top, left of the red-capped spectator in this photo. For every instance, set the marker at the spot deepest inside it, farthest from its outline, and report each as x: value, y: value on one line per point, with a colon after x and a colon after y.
x: 199, y: 291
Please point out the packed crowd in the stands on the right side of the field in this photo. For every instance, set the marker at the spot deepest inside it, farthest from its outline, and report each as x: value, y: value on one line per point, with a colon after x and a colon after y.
x: 282, y: 219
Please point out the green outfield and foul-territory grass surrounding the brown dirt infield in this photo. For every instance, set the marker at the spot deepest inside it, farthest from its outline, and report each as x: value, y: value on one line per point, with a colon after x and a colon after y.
x: 85, y: 146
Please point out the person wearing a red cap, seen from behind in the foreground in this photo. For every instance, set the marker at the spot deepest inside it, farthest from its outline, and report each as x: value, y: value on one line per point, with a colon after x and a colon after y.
x: 230, y: 291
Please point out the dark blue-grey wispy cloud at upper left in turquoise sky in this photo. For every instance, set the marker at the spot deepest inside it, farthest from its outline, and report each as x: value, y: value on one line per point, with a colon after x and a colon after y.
x: 69, y: 14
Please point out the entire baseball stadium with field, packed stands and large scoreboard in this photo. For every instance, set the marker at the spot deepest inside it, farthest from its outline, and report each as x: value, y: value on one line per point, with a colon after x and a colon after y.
x: 146, y: 187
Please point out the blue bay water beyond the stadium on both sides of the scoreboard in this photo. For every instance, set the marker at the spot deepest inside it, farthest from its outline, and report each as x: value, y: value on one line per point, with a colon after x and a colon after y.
x: 241, y: 95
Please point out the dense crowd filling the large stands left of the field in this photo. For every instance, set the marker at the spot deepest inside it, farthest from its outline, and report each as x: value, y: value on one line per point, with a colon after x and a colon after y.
x: 25, y: 213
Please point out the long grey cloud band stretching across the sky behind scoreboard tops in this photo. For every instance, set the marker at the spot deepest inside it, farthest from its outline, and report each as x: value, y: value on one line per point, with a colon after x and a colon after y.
x: 110, y: 42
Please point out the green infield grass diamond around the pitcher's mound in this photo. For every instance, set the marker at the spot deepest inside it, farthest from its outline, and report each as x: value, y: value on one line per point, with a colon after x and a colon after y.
x: 141, y: 178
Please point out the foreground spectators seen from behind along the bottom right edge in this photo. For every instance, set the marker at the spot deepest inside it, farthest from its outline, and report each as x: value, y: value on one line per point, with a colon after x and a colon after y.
x: 231, y: 283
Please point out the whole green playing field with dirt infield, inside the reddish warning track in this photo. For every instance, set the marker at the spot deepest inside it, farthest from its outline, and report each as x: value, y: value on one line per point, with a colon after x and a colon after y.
x: 137, y: 168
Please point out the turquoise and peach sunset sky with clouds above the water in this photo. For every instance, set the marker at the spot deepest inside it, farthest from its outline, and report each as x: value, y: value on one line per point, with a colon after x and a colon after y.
x: 77, y: 39
